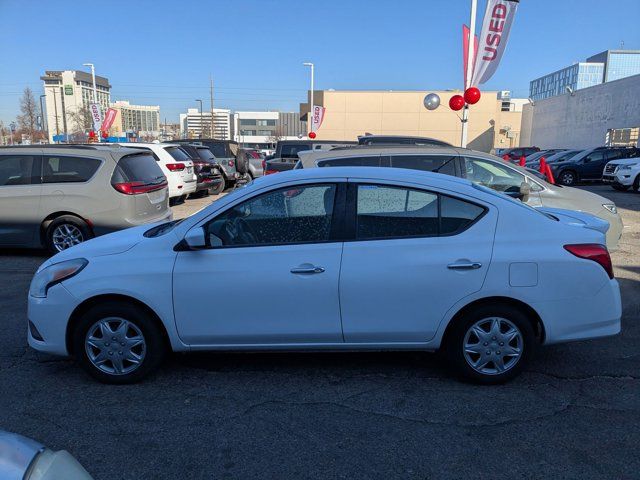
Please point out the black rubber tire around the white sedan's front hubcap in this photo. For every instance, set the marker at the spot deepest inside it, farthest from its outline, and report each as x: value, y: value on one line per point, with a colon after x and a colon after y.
x: 155, y: 347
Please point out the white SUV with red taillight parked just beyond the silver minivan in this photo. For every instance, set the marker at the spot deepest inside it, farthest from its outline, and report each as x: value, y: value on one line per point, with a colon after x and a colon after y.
x: 176, y: 166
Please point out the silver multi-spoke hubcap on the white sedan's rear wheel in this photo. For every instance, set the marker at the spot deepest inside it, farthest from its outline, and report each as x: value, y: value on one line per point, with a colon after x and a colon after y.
x: 492, y: 346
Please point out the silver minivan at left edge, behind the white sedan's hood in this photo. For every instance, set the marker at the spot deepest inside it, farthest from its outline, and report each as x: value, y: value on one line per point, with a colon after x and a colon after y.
x: 56, y: 196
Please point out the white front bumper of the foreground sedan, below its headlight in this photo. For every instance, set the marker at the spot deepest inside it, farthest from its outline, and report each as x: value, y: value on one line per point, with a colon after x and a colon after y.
x: 50, y: 316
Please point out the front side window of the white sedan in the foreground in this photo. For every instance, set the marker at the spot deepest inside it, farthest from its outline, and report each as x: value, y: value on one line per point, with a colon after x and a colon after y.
x: 286, y: 216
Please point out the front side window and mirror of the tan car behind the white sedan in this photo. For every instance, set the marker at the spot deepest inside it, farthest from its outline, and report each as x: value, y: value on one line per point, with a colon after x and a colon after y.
x: 500, y: 177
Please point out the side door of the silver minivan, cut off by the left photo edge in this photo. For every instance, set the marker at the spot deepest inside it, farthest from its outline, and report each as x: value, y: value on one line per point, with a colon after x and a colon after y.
x: 20, y: 193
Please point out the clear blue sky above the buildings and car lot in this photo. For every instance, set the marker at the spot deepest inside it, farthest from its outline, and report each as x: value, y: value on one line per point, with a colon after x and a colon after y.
x: 161, y: 52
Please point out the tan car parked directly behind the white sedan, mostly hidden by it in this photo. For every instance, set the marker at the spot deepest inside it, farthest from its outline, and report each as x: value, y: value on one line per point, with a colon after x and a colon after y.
x: 478, y: 167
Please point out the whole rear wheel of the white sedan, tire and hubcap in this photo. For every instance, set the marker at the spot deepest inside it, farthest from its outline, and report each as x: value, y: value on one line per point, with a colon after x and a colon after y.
x: 491, y: 344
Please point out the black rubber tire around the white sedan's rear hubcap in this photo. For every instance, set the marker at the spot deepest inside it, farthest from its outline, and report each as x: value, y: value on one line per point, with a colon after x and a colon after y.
x: 454, y: 344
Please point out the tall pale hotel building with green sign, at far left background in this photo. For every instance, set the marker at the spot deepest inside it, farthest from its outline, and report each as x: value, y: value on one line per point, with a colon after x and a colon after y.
x: 68, y: 95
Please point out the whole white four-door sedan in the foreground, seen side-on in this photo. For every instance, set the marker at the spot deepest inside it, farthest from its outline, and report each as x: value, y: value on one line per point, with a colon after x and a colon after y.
x: 348, y: 258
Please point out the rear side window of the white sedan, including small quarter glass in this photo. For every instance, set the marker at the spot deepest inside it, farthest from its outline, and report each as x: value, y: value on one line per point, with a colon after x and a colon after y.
x: 397, y: 212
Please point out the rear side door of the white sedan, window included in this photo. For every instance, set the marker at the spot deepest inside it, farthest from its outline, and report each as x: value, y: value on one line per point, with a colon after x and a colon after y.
x: 414, y: 253
